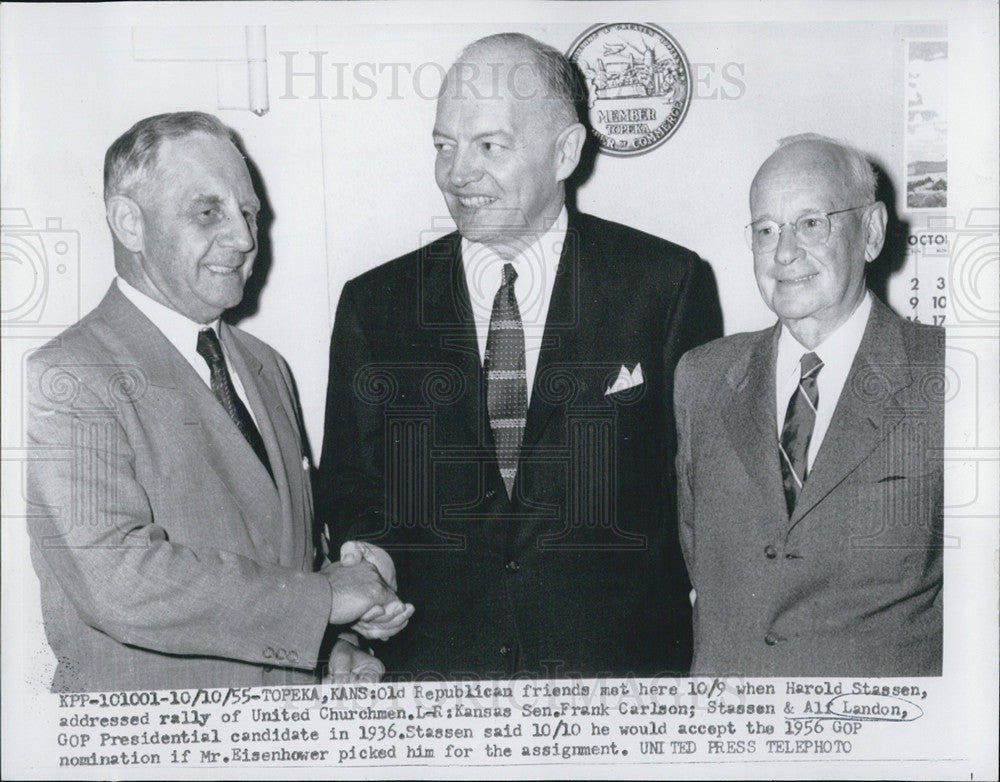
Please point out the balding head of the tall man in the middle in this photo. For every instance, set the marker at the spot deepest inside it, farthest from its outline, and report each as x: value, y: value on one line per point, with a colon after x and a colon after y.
x: 507, y: 137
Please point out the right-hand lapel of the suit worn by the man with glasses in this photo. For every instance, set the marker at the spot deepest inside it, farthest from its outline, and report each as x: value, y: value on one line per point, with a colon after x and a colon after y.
x: 868, y: 409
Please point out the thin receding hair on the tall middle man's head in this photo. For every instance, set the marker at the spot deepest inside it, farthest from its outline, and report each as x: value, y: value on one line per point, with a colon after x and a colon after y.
x: 564, y: 89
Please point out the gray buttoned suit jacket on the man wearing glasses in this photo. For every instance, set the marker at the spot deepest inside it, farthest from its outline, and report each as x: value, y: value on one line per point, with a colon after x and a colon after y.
x: 850, y: 585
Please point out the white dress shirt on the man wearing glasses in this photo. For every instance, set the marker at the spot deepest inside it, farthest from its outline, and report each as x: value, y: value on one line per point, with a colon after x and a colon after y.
x: 837, y: 353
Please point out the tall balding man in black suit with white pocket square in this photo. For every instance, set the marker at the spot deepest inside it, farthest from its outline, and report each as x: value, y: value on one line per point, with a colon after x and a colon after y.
x: 498, y: 411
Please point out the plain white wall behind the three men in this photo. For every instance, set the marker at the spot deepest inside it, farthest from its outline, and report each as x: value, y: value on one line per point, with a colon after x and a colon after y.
x: 351, y: 179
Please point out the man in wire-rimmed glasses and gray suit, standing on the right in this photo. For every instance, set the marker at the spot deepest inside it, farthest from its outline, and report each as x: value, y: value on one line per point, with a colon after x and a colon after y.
x: 809, y: 454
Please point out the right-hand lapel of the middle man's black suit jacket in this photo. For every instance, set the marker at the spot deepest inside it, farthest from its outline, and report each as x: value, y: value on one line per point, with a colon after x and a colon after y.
x: 583, y: 294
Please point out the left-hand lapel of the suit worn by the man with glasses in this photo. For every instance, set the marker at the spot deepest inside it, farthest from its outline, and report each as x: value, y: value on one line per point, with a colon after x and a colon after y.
x: 749, y: 419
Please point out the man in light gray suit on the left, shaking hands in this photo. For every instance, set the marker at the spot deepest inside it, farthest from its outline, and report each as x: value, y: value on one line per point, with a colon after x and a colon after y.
x: 173, y: 533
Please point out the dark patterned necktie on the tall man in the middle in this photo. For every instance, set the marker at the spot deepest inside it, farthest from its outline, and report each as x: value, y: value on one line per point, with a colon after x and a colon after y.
x: 506, y: 382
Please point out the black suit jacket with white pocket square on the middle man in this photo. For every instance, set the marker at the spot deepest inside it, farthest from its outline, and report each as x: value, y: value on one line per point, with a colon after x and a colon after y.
x: 580, y: 573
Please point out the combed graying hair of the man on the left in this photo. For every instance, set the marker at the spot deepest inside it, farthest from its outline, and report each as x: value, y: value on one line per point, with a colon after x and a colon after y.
x: 131, y: 159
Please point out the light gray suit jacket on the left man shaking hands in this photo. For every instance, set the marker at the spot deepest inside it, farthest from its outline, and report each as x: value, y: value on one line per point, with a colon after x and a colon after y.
x: 167, y: 556
